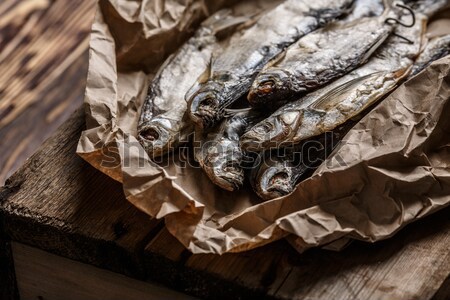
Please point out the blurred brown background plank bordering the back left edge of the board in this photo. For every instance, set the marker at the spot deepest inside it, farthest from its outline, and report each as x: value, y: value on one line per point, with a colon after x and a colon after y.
x: 21, y: 137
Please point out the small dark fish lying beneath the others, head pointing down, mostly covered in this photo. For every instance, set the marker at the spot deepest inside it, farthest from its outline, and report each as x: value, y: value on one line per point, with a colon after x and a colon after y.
x: 219, y: 154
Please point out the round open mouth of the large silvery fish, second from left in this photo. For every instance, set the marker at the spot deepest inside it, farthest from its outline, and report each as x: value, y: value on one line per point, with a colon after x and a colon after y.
x: 203, y: 109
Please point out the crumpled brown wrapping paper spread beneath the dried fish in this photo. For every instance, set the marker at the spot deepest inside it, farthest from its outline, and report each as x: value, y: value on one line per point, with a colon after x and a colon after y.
x: 392, y: 168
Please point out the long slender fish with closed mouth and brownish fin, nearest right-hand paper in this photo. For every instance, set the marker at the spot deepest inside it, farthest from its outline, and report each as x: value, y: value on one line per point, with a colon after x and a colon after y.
x: 343, y: 99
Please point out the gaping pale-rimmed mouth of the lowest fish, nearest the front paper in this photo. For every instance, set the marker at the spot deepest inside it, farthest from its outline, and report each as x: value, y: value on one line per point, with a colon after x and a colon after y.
x: 274, y: 183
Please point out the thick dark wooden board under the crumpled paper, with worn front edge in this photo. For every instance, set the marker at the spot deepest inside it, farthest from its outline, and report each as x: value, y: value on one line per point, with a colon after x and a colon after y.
x: 58, y: 203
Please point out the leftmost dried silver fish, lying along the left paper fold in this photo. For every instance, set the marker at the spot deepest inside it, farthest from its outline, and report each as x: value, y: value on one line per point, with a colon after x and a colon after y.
x: 163, y: 121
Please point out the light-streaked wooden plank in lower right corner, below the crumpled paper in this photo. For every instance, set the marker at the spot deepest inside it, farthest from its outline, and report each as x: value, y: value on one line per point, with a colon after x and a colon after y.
x: 411, y: 265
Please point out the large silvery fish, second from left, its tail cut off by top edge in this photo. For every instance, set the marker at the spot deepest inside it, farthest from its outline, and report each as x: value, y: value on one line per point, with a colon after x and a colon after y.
x: 230, y: 74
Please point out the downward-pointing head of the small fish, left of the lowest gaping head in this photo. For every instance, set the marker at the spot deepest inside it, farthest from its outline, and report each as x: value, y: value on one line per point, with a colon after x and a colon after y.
x: 221, y: 161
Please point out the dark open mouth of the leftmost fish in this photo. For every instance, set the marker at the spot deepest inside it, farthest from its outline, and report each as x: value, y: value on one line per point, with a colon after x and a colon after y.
x: 155, y: 139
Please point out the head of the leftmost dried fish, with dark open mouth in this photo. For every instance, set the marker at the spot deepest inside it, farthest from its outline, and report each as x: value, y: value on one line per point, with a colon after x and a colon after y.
x: 158, y: 136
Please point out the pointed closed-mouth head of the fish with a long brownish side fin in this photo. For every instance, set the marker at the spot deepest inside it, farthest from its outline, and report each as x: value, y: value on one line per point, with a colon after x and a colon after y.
x: 272, y: 132
